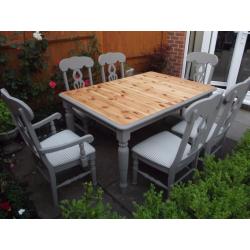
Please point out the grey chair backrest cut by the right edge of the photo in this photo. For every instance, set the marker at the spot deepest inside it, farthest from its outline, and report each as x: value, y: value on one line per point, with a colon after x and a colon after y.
x: 231, y: 104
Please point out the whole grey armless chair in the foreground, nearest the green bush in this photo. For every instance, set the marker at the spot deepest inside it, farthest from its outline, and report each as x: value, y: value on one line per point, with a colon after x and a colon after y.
x: 168, y: 152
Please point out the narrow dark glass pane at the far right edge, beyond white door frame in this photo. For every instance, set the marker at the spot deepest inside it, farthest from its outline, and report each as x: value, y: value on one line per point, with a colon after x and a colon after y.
x: 244, y: 71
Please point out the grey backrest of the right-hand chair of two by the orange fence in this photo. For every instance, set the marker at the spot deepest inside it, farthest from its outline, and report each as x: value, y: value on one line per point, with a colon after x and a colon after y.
x: 111, y: 59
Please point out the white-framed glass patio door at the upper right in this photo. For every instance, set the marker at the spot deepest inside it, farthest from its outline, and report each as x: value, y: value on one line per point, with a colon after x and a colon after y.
x: 233, y: 51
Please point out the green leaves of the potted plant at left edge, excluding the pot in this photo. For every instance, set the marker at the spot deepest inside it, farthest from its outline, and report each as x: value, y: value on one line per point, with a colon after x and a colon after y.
x: 6, y: 122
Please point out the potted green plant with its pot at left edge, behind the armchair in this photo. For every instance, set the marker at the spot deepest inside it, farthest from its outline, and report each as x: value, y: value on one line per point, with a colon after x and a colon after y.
x: 8, y: 129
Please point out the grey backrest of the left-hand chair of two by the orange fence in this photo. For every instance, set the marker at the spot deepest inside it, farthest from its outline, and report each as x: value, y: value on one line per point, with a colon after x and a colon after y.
x: 76, y: 64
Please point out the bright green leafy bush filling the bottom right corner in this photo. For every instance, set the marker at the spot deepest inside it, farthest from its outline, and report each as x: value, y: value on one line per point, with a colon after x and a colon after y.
x: 220, y: 191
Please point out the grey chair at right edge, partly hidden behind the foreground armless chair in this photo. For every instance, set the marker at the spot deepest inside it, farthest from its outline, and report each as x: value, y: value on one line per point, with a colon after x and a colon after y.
x: 226, y: 112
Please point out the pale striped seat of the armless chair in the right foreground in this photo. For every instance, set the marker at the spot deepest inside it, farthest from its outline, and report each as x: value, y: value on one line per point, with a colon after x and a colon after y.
x: 160, y: 148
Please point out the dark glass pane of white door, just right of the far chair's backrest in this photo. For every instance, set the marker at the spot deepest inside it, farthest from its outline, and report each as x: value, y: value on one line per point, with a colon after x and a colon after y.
x: 224, y: 50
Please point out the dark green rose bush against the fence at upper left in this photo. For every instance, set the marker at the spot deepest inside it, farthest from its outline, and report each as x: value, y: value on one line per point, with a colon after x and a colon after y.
x: 22, y: 82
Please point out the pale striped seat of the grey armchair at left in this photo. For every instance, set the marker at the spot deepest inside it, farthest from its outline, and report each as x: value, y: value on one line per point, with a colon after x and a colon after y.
x: 67, y: 155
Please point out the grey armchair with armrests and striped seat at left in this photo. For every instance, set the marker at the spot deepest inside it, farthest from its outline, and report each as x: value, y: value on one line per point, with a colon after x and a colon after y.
x: 59, y: 152
